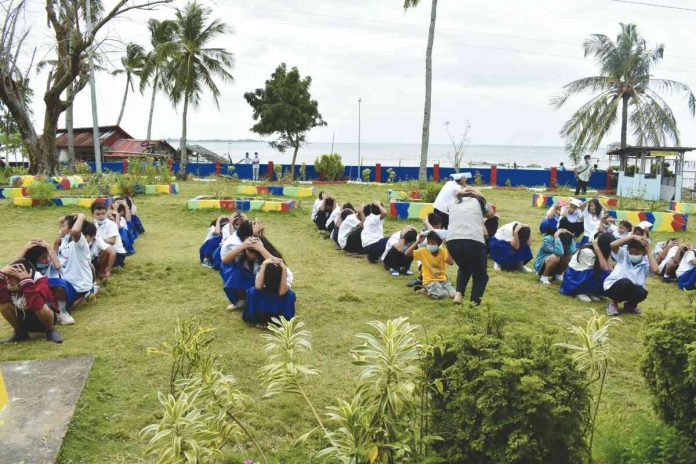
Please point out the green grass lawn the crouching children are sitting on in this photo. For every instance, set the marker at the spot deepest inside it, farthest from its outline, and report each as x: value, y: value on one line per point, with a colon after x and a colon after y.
x: 336, y: 296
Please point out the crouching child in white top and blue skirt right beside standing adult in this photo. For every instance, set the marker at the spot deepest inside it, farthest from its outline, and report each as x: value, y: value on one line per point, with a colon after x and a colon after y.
x: 510, y: 247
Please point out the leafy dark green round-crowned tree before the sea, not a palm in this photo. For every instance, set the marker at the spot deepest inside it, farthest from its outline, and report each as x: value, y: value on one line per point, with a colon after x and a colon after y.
x: 285, y: 107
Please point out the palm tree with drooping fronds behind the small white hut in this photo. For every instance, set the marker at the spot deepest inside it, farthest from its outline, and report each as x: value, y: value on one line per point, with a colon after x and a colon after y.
x: 625, y: 80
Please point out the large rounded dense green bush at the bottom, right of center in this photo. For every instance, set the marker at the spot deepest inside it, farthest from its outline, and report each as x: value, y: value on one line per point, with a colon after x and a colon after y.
x: 518, y: 400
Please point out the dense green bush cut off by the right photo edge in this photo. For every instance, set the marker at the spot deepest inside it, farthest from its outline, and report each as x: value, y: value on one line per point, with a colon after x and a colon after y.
x: 669, y: 368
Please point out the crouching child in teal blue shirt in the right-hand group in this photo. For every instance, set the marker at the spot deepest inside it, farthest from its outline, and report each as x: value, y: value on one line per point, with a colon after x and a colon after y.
x: 554, y: 255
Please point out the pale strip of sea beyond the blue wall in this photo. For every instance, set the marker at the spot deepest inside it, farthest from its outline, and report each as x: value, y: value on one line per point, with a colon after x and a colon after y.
x: 401, y: 154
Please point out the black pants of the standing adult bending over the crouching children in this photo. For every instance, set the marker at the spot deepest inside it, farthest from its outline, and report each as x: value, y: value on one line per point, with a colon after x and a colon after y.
x: 470, y: 256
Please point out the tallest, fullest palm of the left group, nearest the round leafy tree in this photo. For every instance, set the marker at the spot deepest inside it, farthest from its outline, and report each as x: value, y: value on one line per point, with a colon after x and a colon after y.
x: 192, y: 64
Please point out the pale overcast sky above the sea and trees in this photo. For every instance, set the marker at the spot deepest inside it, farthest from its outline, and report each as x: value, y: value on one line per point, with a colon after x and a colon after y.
x: 496, y: 64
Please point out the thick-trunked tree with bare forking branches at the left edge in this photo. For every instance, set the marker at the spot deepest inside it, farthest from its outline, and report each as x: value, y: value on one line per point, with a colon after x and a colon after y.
x: 71, y: 44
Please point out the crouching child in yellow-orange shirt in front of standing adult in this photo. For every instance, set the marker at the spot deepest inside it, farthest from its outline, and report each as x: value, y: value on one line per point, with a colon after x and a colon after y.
x: 434, y: 259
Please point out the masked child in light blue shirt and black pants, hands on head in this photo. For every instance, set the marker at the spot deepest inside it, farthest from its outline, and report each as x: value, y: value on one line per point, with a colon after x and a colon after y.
x: 634, y: 262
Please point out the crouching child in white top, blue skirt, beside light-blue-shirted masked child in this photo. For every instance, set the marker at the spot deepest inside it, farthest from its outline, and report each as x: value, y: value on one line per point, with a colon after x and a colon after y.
x: 587, y: 270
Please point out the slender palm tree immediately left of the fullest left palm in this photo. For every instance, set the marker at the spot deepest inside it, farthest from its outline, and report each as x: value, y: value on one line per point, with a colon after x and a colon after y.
x: 160, y: 33
